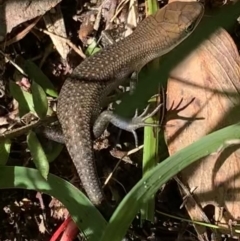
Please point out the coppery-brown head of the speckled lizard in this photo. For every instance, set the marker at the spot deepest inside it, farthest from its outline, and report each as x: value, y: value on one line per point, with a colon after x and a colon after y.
x: 173, y: 23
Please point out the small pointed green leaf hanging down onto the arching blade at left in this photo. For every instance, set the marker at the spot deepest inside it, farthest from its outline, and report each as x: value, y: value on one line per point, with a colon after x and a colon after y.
x: 39, y: 158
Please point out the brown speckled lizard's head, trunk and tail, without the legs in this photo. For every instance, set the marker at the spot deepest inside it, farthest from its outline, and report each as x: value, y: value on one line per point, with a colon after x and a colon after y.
x: 81, y: 94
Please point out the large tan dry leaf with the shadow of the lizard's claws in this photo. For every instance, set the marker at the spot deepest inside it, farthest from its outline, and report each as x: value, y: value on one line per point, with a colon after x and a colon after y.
x: 204, y: 96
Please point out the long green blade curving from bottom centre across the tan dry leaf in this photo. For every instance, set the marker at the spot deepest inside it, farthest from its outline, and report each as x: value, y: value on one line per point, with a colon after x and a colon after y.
x: 154, y: 179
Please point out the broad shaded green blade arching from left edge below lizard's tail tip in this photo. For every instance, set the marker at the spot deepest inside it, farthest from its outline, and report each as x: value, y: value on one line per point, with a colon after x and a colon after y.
x: 84, y: 214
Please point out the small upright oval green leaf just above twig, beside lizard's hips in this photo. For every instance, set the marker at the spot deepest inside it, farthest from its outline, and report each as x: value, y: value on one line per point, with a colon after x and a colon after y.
x: 39, y: 100
